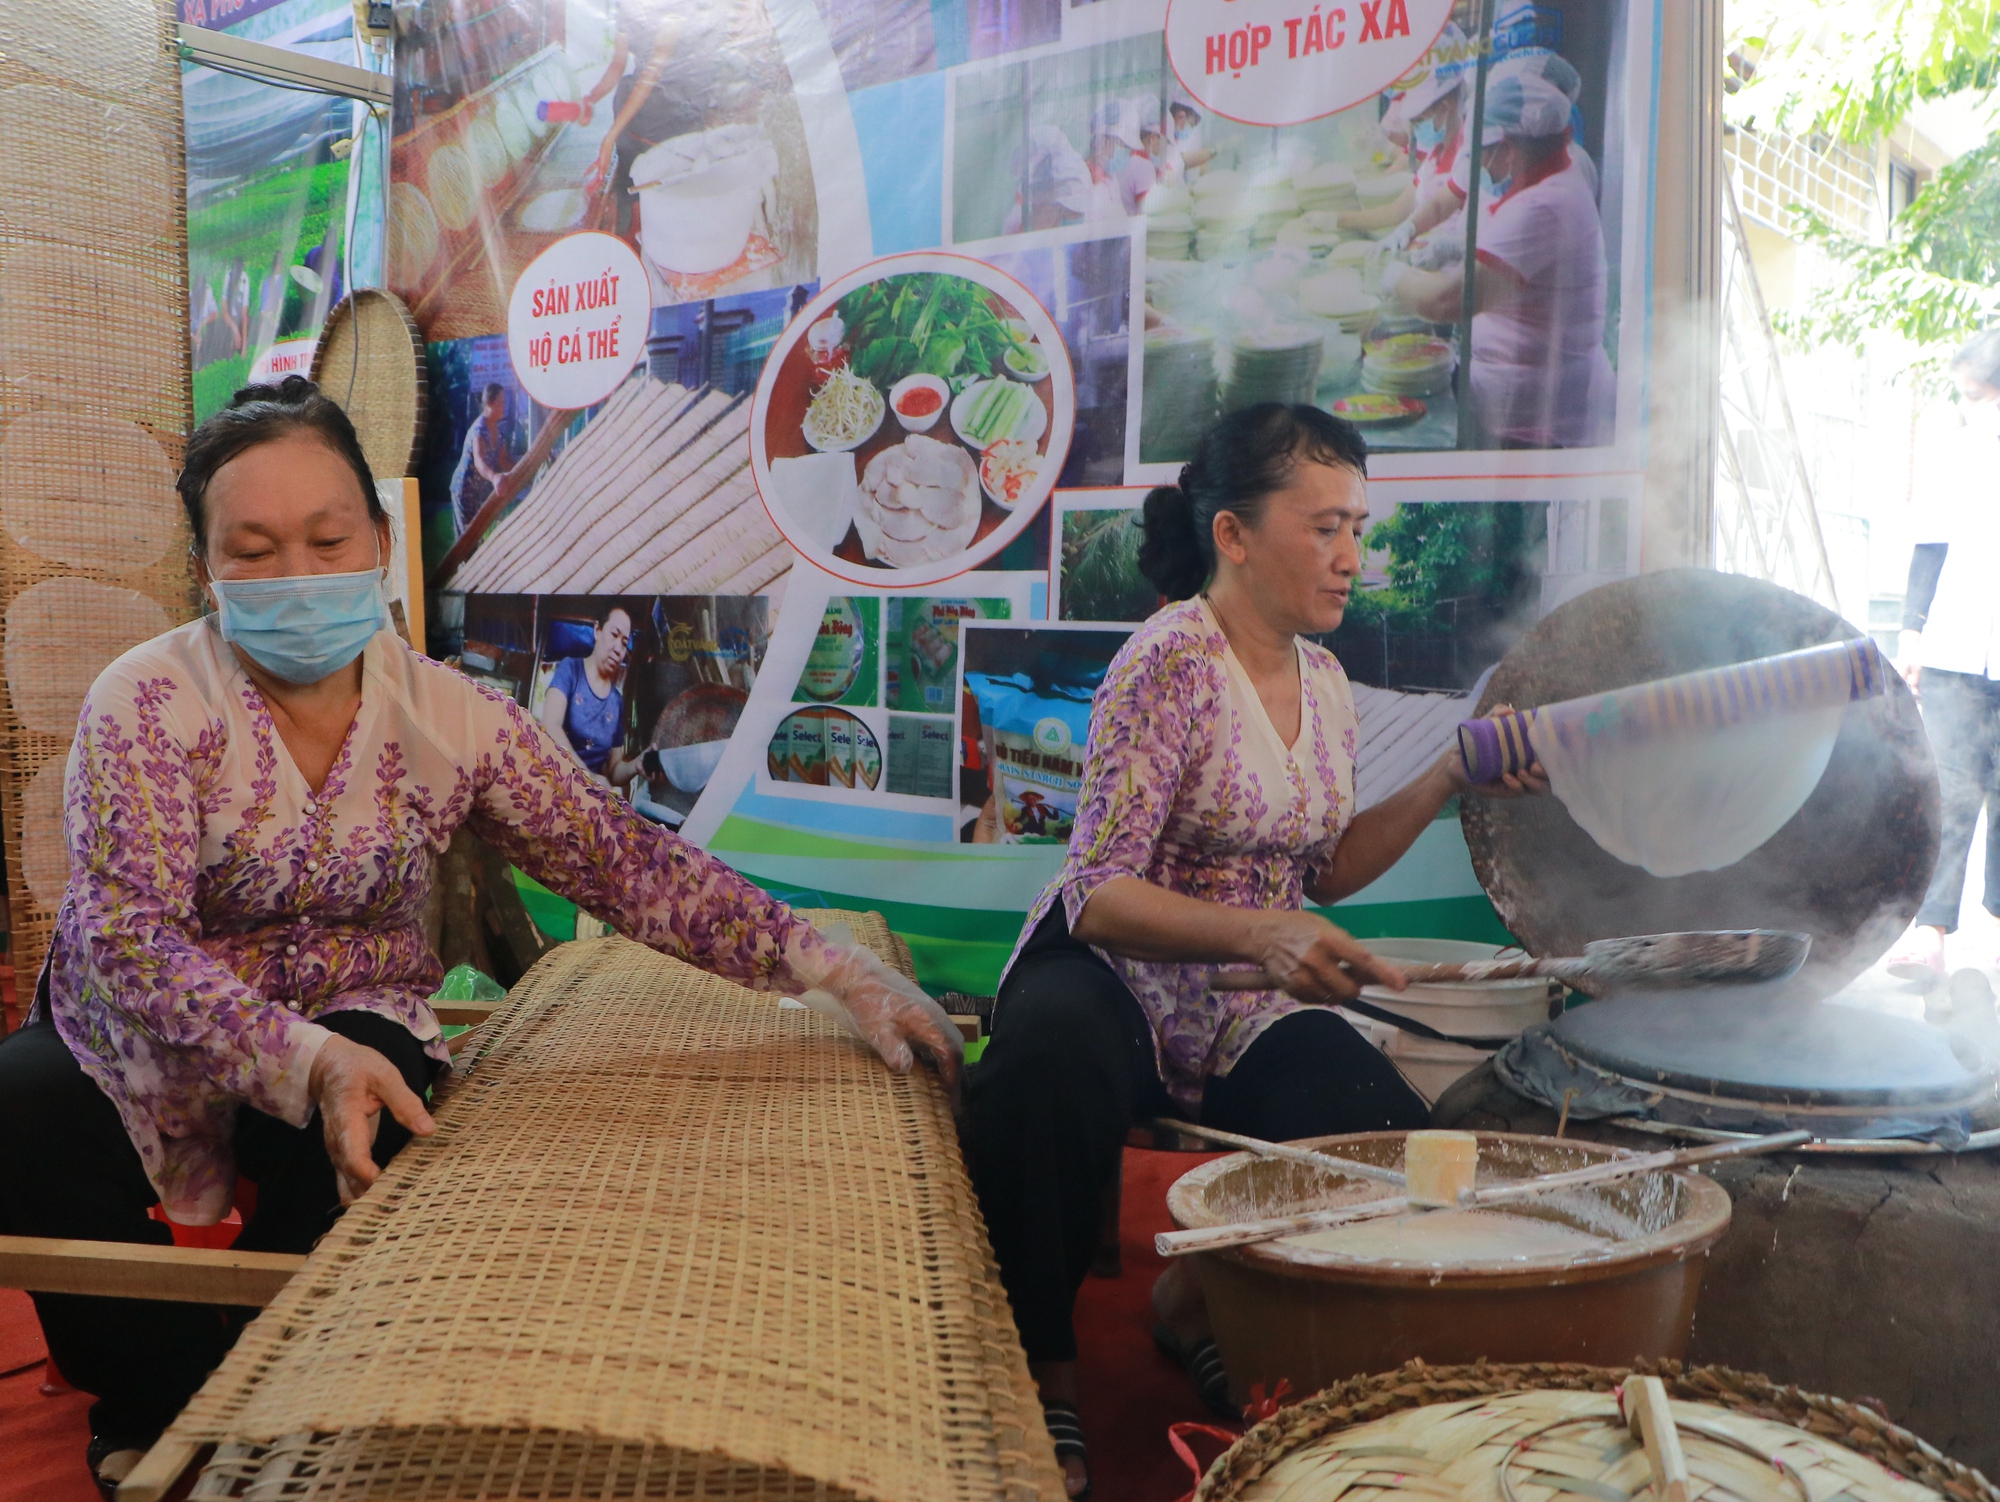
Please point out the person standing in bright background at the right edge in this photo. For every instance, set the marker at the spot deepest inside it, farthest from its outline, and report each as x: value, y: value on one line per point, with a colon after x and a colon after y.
x: 1951, y: 653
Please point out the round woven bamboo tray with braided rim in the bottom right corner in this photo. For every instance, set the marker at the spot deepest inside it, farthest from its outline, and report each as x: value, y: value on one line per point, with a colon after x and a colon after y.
x: 1495, y: 1433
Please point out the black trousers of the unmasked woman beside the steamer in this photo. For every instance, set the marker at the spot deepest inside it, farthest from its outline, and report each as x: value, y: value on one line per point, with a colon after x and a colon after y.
x: 1071, y: 1069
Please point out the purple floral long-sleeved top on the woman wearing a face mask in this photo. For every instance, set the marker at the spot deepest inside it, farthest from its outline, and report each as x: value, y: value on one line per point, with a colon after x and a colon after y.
x: 217, y: 905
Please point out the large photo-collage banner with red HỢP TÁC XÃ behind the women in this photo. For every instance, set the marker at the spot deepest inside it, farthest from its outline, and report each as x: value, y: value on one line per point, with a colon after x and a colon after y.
x: 799, y: 365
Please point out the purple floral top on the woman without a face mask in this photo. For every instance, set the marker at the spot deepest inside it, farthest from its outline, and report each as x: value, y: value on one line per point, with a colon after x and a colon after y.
x: 1189, y: 787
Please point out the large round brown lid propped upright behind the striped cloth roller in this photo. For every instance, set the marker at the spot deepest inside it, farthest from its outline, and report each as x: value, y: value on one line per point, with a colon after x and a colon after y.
x: 1849, y: 869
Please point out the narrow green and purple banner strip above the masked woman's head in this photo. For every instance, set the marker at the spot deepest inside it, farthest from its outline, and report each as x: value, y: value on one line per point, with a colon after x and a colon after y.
x: 285, y: 199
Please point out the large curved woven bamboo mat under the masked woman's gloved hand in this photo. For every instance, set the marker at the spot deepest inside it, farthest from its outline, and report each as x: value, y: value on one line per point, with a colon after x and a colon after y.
x: 669, y: 1241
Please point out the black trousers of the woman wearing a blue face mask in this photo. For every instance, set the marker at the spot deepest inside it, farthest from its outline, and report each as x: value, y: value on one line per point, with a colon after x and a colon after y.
x: 69, y: 1169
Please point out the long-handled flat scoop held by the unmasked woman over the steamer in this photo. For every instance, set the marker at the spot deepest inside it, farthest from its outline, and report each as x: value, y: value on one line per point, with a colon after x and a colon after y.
x: 1743, y: 957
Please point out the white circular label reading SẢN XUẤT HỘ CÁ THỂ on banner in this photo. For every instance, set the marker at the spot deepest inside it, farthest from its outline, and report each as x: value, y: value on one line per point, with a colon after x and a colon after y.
x: 577, y: 321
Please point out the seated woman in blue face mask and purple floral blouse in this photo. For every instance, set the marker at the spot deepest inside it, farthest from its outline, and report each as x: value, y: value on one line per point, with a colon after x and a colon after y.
x: 239, y: 981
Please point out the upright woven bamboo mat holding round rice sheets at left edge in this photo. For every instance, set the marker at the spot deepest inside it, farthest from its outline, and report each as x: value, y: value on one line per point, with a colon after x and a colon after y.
x: 93, y: 389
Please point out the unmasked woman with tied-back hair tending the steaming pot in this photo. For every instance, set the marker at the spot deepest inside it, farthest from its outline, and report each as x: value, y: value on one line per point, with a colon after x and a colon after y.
x: 1219, y: 797
